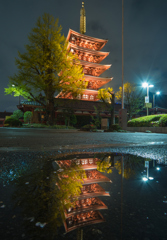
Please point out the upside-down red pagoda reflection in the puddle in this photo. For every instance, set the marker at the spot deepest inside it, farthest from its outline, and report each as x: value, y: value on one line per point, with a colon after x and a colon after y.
x: 85, y: 210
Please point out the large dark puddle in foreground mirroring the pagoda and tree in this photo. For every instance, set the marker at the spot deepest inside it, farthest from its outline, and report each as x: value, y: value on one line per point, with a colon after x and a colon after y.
x: 100, y: 196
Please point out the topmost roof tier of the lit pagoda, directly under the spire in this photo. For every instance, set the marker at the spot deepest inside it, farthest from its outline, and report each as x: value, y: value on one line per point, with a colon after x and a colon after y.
x: 93, y: 39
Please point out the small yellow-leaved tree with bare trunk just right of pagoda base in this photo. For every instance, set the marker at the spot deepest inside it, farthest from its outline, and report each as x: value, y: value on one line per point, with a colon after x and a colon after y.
x: 108, y: 98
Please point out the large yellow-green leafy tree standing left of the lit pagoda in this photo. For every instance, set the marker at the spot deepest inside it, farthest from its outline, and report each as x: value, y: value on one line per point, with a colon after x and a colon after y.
x: 47, y: 67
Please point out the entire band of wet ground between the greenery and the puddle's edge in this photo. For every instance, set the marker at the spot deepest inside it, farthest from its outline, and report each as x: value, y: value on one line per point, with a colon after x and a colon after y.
x: 151, y: 145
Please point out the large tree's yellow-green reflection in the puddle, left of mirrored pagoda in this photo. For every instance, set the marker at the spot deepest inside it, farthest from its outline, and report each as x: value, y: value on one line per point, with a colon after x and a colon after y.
x: 43, y: 196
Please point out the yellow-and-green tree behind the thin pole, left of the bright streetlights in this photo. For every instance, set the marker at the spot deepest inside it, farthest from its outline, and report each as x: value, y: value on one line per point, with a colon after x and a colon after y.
x: 133, y: 99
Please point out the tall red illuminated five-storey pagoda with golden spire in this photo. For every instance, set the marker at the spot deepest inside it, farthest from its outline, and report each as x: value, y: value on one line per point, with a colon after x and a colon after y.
x: 90, y: 55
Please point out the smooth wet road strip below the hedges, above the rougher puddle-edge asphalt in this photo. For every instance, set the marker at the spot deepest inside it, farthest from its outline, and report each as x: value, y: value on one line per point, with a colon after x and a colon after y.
x: 40, y: 139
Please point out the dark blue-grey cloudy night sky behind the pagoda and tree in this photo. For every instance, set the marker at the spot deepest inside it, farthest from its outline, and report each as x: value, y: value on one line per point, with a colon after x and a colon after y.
x: 145, y: 37
